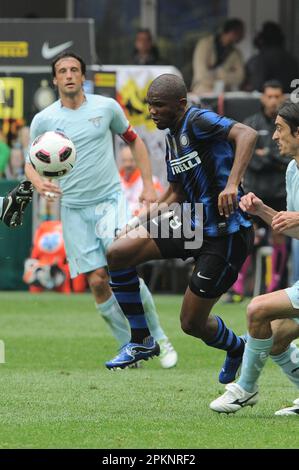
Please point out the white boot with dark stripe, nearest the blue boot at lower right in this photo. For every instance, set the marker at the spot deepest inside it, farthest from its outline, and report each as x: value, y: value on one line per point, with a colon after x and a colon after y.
x: 234, y: 399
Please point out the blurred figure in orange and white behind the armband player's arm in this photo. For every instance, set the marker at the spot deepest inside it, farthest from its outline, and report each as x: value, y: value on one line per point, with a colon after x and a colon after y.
x: 131, y: 180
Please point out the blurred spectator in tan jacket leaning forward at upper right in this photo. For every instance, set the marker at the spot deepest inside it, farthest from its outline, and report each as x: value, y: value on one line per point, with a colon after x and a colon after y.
x: 217, y: 63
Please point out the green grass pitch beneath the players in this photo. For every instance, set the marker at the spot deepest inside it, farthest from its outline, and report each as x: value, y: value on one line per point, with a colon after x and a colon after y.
x: 56, y: 393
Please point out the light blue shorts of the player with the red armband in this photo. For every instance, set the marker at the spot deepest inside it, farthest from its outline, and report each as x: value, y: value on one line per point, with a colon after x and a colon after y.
x: 88, y: 232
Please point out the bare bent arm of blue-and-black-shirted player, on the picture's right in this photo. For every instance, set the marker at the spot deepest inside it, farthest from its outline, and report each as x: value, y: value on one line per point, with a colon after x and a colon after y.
x: 244, y: 139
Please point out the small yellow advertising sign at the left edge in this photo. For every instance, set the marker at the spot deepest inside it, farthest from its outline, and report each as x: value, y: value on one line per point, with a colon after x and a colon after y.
x: 11, y: 98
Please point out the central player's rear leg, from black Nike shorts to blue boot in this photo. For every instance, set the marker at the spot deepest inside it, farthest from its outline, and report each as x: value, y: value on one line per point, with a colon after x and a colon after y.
x: 216, y: 269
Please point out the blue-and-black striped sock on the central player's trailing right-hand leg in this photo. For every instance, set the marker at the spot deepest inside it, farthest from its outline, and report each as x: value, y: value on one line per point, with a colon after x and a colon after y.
x: 226, y: 339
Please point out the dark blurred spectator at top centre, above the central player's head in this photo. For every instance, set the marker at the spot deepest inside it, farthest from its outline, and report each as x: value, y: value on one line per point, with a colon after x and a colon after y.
x: 145, y: 52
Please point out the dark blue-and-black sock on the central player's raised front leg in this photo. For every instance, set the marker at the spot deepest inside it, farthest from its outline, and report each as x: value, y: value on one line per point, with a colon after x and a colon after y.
x: 125, y: 286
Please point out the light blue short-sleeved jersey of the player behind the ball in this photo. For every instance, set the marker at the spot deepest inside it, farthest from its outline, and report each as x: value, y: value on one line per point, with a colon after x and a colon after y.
x: 91, y: 127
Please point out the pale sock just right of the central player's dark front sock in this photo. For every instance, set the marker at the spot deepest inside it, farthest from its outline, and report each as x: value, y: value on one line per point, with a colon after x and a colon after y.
x: 150, y: 312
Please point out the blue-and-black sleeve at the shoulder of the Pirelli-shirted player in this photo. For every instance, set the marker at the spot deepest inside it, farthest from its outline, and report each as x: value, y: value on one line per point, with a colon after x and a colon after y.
x: 209, y: 125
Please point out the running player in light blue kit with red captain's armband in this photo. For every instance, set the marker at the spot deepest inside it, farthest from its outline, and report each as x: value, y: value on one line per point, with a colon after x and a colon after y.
x: 92, y: 205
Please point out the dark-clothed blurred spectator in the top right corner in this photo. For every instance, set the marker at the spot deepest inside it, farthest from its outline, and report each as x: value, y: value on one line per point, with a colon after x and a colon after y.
x: 273, y: 61
